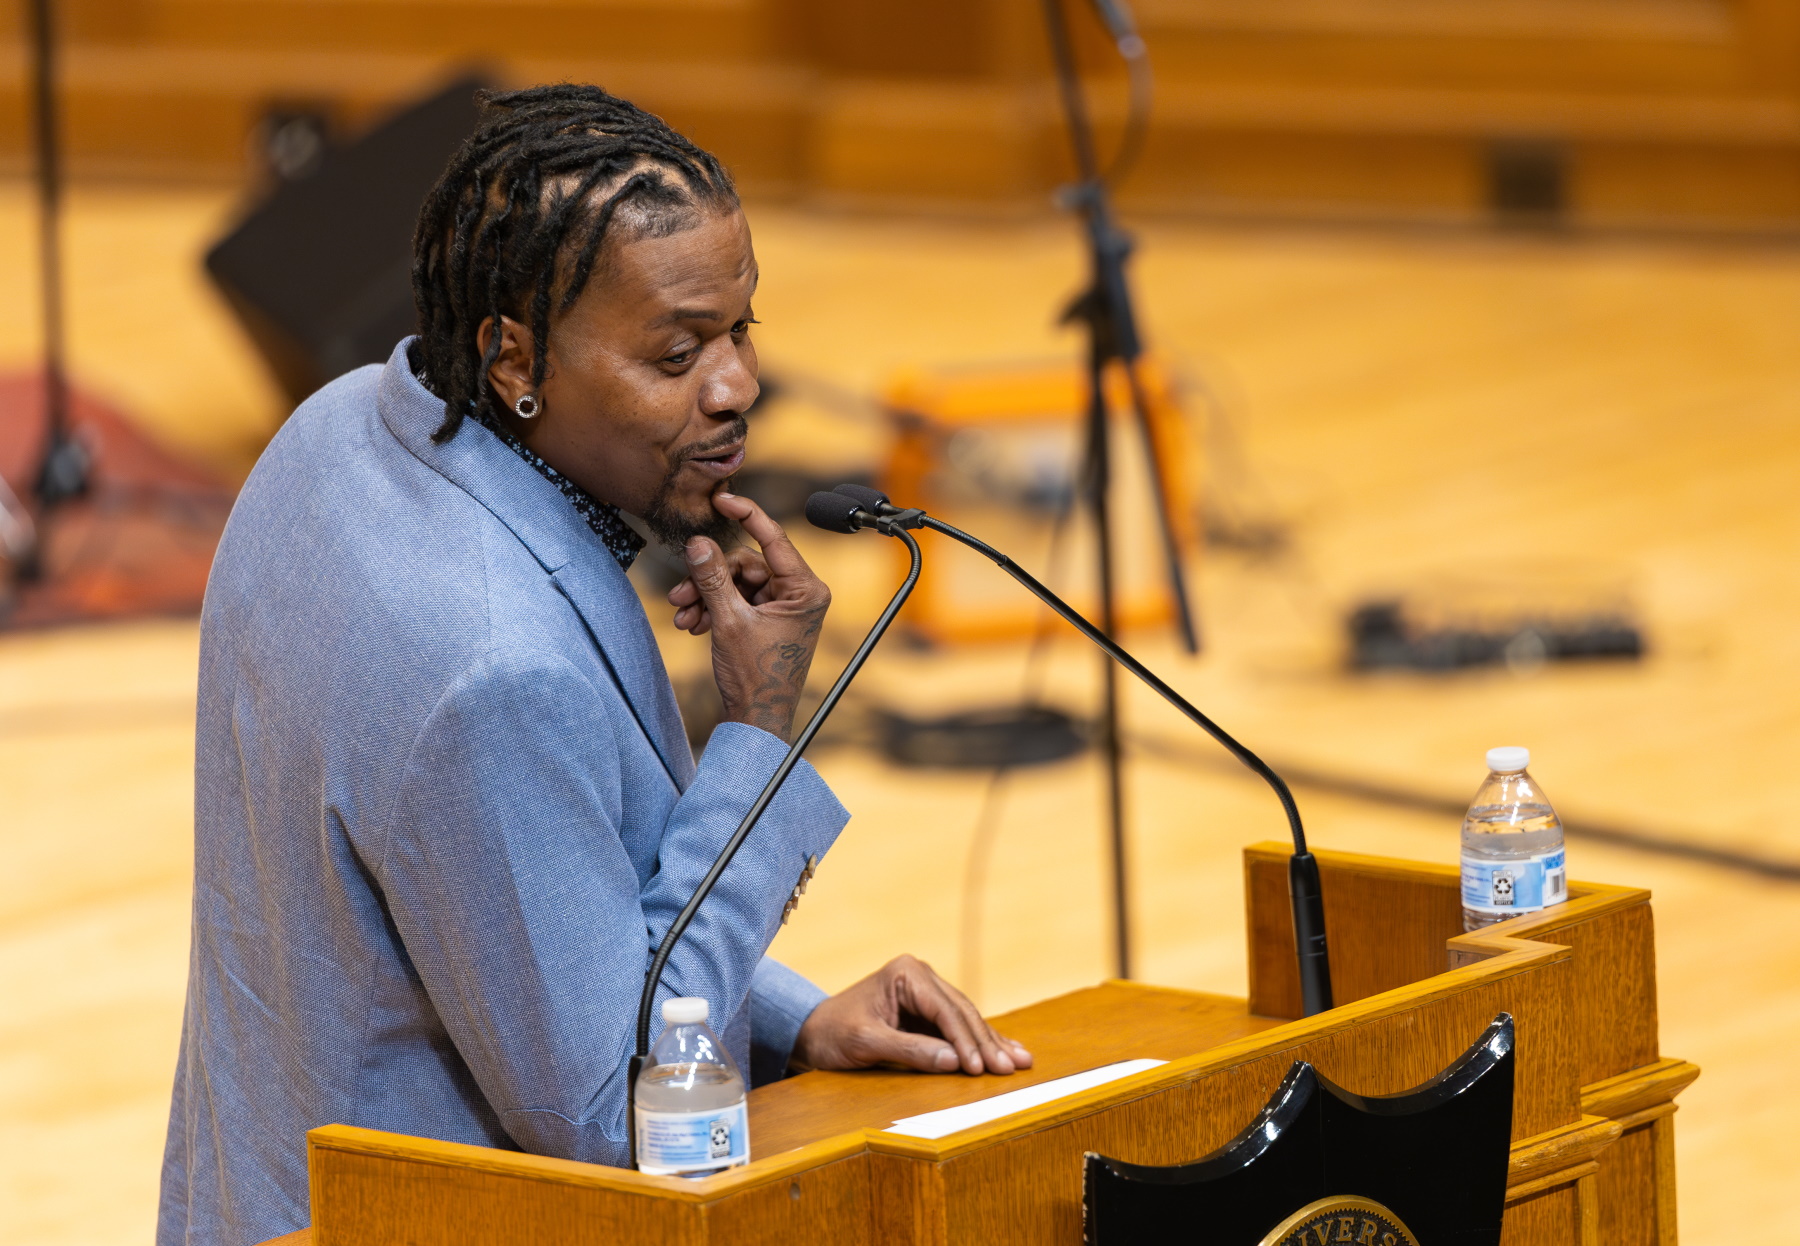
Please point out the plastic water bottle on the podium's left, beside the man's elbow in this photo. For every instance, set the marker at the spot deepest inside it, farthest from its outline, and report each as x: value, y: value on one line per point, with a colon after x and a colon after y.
x: 692, y: 1119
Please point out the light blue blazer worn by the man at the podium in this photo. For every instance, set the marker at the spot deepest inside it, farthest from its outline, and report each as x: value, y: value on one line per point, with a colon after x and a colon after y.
x: 444, y: 811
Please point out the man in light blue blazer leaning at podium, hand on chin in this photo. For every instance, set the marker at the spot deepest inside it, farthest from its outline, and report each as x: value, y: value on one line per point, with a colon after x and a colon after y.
x: 445, y: 804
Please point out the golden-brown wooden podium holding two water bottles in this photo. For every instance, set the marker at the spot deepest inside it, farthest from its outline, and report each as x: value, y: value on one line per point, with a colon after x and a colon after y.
x: 1594, y: 1133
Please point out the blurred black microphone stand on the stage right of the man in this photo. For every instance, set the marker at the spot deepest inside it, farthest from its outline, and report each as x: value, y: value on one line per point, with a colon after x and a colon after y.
x: 1106, y: 309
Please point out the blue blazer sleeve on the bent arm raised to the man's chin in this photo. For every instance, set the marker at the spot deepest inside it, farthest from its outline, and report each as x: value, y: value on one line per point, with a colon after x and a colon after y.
x: 525, y: 917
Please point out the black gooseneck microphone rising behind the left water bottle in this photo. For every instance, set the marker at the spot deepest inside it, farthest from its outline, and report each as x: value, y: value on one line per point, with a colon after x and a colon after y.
x: 685, y: 919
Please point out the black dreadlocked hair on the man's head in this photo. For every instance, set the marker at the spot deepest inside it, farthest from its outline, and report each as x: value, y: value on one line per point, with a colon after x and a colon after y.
x: 516, y: 224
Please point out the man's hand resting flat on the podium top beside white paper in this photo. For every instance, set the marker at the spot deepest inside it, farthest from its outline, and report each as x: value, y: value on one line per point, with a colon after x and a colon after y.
x: 895, y: 1016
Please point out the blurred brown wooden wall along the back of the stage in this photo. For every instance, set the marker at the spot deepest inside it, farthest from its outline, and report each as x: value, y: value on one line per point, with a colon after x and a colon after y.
x: 1675, y: 113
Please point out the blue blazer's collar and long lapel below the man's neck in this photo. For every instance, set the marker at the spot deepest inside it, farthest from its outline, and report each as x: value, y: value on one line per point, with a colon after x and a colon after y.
x: 579, y: 564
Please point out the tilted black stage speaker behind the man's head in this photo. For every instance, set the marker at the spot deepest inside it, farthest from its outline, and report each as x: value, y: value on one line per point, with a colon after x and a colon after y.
x: 321, y: 271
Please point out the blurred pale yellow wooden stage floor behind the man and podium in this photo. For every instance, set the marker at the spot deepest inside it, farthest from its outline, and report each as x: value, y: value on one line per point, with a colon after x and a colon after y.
x: 1410, y: 406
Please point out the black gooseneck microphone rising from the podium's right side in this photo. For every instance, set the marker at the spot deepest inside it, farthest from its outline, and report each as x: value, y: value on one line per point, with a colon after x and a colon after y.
x: 1302, y: 869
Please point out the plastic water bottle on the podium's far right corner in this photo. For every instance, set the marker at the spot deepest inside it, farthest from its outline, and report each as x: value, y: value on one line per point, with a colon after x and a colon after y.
x: 1513, y: 845
